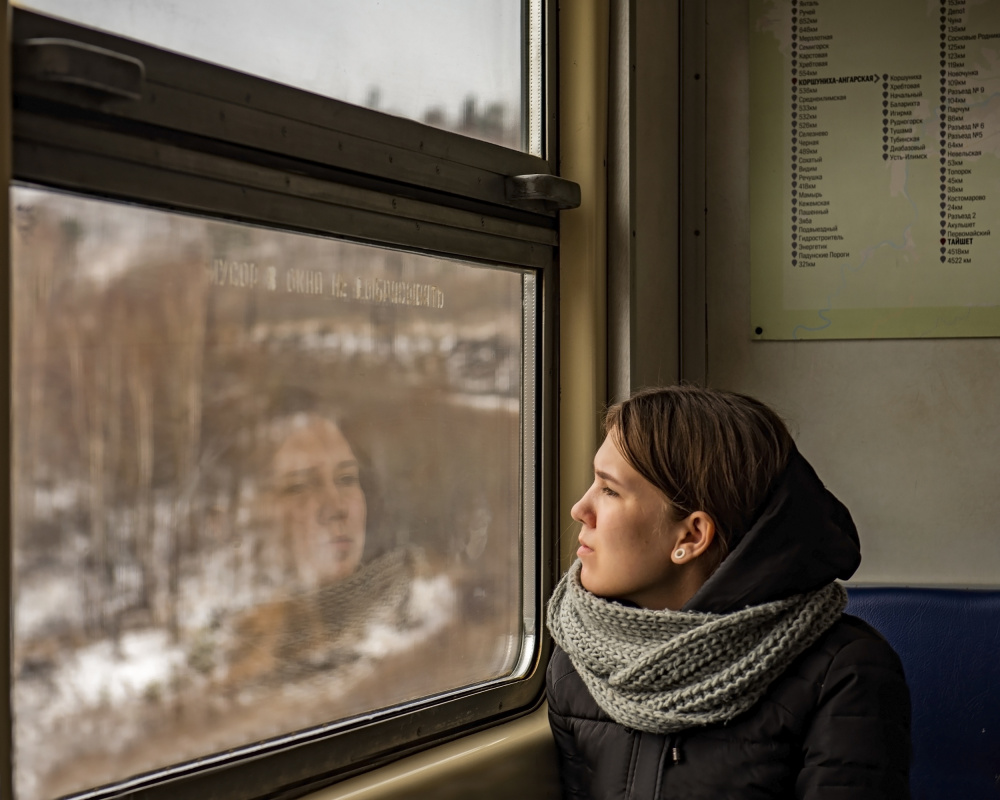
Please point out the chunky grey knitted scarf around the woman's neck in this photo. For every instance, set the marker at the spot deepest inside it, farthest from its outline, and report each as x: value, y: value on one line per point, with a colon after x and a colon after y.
x: 665, y: 671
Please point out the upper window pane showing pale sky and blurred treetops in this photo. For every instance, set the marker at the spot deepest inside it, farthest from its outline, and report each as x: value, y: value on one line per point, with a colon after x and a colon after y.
x: 471, y: 67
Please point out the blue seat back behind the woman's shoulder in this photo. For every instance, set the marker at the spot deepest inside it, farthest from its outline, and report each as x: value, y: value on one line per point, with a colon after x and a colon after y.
x: 949, y: 642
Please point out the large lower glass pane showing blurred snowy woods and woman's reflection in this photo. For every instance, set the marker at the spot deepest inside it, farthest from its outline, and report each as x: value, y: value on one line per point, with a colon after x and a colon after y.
x: 262, y: 481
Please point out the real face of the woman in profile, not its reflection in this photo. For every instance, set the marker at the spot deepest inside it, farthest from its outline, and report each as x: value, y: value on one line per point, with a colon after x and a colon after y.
x: 626, y: 534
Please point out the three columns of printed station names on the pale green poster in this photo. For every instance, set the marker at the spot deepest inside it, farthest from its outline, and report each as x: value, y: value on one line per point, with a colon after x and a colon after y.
x: 816, y: 235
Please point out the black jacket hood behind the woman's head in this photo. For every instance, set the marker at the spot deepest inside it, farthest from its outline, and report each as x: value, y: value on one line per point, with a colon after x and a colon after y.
x: 803, y: 539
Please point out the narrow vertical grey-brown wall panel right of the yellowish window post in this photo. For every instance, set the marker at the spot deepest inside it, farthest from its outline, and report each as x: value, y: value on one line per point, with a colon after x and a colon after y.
x: 643, y: 202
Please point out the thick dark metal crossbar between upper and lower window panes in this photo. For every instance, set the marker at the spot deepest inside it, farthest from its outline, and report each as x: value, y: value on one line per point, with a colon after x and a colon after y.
x: 206, y: 121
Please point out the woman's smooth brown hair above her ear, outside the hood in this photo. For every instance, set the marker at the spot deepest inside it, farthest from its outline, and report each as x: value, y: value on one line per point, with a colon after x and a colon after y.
x: 705, y: 449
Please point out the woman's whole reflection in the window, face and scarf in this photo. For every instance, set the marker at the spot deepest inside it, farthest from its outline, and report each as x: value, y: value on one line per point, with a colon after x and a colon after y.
x: 344, y: 605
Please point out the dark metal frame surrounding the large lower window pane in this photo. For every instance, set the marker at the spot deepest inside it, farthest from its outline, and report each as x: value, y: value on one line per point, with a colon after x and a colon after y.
x: 180, y: 134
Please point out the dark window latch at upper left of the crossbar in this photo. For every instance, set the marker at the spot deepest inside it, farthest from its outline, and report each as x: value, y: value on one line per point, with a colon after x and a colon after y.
x: 64, y: 61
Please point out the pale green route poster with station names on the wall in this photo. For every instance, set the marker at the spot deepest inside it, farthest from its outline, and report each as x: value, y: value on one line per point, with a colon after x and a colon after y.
x: 874, y: 171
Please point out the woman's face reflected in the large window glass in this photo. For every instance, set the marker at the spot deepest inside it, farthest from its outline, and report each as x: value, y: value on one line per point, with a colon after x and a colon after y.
x: 320, y: 501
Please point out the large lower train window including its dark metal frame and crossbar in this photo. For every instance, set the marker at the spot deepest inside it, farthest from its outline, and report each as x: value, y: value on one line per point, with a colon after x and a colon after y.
x: 282, y: 406
